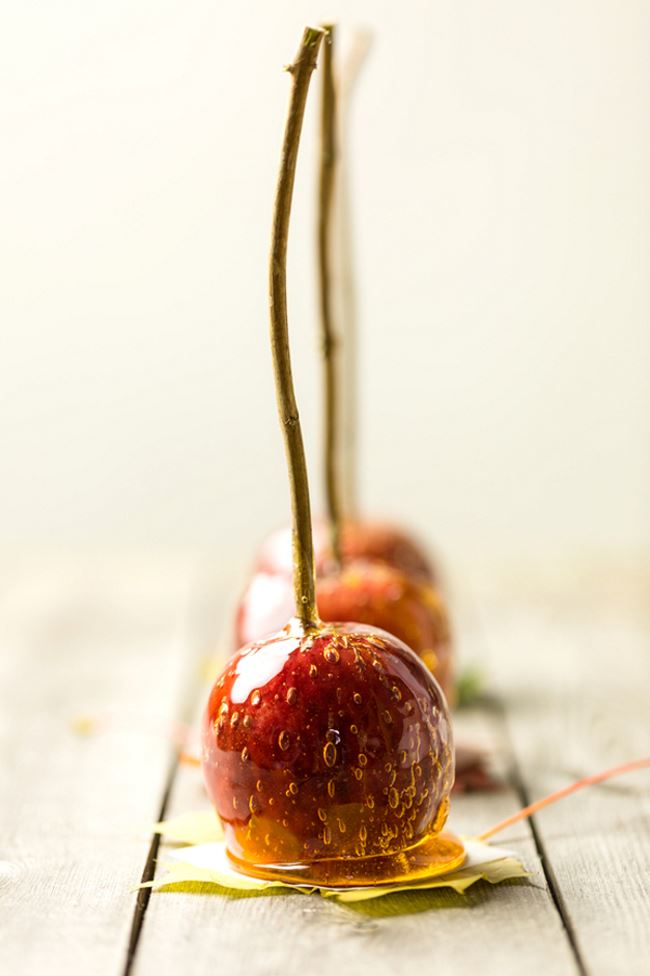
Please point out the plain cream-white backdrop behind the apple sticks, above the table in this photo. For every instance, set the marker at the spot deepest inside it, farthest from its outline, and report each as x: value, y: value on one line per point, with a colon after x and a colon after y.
x: 501, y: 155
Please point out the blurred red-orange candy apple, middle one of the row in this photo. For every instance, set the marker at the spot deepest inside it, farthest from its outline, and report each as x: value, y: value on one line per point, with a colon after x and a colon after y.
x: 365, y: 592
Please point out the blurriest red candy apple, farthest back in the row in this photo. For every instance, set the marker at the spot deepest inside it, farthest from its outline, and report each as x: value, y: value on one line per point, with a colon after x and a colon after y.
x: 375, y: 541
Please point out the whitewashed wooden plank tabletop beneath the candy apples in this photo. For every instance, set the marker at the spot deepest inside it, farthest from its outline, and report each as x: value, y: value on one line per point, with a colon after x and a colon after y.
x: 99, y: 655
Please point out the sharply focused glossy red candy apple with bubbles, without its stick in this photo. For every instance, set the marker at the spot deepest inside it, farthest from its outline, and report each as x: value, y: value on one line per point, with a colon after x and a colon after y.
x: 329, y: 758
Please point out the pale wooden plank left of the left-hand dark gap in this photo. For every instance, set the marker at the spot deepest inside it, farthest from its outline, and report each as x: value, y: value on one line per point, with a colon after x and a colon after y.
x: 83, y: 638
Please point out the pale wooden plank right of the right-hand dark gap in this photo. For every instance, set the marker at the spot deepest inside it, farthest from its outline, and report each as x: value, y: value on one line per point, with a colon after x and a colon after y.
x: 575, y: 674
